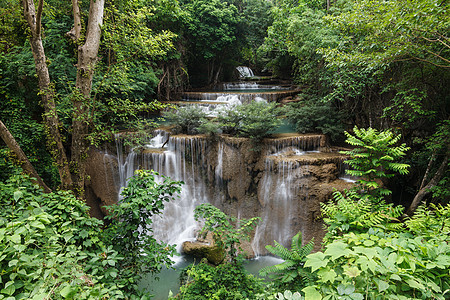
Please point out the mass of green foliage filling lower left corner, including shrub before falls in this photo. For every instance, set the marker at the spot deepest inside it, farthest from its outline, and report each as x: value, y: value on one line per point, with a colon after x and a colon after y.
x: 52, y: 249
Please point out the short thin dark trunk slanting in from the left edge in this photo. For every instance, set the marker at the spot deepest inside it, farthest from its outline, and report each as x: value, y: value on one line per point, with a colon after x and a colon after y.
x: 23, y: 159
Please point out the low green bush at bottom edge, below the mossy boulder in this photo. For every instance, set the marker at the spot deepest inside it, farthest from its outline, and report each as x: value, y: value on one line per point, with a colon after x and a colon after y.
x: 224, y: 282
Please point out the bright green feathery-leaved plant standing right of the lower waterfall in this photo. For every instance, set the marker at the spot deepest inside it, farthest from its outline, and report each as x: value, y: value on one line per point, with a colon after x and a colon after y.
x: 374, y: 156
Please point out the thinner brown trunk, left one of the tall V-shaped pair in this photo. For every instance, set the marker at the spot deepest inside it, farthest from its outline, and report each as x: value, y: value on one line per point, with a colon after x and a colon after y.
x: 51, y: 118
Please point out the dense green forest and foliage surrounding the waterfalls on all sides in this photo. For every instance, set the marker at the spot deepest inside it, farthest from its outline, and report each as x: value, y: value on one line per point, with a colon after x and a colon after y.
x: 374, y: 74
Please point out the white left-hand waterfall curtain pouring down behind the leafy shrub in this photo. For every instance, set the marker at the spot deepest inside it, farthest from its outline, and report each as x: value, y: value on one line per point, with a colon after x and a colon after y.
x: 176, y: 224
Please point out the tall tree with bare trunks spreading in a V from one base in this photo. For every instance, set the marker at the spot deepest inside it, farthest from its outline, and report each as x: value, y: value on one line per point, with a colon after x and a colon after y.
x: 87, y: 58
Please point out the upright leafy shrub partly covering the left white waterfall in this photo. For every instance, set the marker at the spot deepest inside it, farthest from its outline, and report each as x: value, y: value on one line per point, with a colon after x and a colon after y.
x: 130, y: 231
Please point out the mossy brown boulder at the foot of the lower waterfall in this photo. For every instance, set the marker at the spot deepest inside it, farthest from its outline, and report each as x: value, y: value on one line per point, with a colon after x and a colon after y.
x: 205, y: 248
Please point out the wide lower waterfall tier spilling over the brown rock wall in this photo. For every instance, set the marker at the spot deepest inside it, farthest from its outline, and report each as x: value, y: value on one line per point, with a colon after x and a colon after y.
x: 282, y: 184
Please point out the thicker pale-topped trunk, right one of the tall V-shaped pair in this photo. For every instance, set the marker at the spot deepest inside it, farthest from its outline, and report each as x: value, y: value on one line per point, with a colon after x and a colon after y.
x: 87, y: 59
